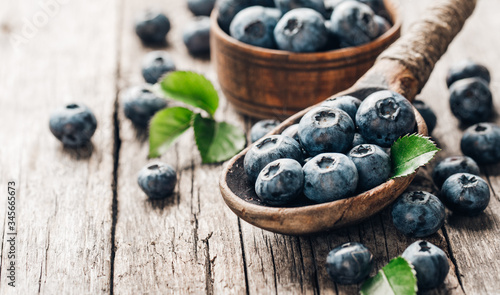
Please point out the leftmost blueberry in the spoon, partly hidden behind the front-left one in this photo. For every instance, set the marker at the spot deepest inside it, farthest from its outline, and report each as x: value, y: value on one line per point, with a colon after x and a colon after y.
x: 268, y: 149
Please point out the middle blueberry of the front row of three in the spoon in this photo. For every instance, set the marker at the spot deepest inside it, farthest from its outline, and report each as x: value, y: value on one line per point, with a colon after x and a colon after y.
x: 329, y: 177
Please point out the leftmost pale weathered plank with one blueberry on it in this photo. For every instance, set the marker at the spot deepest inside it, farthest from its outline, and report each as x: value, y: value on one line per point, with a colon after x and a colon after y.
x: 64, y: 196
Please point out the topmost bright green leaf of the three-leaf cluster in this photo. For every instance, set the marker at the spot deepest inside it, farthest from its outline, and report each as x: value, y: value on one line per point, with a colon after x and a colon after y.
x: 191, y: 88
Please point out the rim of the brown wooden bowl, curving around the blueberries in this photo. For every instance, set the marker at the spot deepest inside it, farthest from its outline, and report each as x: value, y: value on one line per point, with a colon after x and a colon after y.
x: 341, y: 53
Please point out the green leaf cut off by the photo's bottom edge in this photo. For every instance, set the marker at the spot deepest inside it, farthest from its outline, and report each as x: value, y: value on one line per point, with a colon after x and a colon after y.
x: 396, y: 278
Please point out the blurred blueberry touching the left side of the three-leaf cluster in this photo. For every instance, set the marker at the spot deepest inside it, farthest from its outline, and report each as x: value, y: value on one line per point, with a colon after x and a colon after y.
x: 140, y: 104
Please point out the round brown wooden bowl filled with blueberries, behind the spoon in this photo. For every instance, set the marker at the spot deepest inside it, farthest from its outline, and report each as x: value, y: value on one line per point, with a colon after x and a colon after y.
x: 266, y: 83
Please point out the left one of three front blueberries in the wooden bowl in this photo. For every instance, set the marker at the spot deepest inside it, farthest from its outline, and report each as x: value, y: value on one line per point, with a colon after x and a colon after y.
x: 255, y: 25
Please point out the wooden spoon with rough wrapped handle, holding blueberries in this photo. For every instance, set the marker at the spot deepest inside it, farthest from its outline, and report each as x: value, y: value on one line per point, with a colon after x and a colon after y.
x: 405, y: 68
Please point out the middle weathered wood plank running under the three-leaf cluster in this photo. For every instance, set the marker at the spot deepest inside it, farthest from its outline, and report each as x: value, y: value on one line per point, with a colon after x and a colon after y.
x: 190, y: 243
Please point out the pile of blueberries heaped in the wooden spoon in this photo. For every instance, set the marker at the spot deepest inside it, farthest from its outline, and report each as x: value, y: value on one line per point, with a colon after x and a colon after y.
x: 343, y: 142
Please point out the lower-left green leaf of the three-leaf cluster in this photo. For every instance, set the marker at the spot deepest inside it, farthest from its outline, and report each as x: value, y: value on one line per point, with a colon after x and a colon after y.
x: 166, y: 126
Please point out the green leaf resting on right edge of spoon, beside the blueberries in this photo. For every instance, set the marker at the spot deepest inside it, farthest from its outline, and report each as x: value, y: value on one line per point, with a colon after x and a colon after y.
x: 410, y: 152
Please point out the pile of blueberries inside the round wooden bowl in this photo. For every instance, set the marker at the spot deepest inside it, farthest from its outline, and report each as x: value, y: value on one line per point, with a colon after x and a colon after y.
x: 303, y: 25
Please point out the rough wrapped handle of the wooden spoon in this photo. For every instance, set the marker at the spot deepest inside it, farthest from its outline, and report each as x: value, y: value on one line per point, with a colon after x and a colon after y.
x: 407, y: 64
